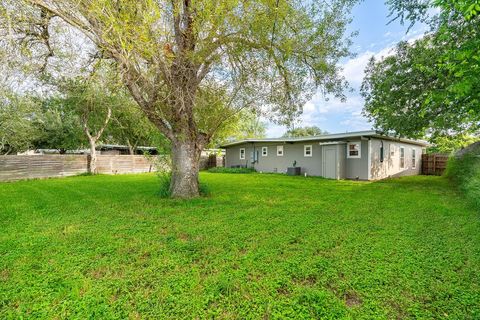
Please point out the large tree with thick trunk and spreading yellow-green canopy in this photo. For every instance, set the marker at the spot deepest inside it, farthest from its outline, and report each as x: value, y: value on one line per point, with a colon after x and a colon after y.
x: 174, y: 56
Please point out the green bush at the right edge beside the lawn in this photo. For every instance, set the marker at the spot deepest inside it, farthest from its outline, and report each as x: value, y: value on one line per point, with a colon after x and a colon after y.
x: 464, y: 170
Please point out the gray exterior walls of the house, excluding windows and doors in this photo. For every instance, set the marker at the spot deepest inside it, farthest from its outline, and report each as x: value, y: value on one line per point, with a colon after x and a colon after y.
x: 367, y: 167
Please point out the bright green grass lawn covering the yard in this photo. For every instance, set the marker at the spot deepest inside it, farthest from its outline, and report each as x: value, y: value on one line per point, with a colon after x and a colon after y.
x: 258, y: 247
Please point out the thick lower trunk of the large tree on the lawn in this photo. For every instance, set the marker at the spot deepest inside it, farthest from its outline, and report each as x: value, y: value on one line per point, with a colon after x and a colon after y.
x: 185, y: 167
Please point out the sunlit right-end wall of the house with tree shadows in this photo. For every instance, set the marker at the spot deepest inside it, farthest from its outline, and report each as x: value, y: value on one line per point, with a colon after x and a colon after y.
x: 390, y: 167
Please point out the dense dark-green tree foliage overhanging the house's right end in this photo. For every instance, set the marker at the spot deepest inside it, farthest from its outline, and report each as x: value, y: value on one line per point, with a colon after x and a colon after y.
x: 431, y: 86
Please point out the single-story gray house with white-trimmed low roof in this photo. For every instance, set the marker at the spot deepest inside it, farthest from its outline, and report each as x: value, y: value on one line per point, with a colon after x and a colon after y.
x: 364, y: 155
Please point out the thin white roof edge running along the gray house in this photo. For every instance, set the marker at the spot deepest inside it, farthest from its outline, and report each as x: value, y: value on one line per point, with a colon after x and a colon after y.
x: 369, y: 133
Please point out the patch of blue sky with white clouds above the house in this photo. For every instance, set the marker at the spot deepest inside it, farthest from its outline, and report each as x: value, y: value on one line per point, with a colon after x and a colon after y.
x: 376, y: 37
